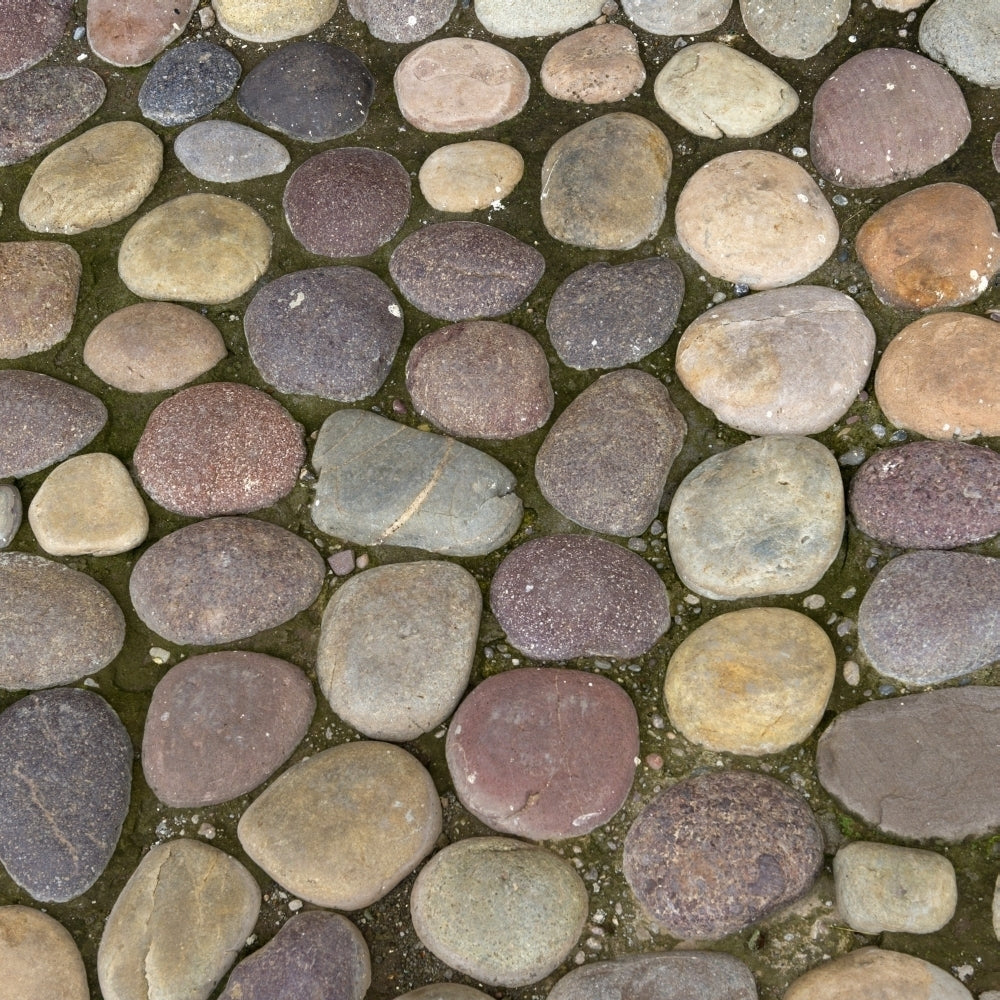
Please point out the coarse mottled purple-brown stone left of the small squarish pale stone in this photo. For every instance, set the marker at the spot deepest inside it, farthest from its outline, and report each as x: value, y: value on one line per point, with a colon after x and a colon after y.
x: 716, y: 853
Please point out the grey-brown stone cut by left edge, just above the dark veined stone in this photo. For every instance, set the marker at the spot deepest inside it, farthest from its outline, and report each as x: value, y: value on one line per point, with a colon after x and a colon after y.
x: 59, y: 623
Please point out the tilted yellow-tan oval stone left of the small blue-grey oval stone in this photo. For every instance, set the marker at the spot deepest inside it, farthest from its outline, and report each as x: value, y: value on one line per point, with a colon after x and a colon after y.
x: 93, y: 180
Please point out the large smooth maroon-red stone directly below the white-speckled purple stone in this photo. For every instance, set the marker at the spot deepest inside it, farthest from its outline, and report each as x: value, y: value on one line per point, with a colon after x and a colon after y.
x: 544, y: 753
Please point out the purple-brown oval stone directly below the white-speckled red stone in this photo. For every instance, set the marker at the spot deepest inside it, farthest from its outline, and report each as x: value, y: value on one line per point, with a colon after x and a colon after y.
x: 252, y: 576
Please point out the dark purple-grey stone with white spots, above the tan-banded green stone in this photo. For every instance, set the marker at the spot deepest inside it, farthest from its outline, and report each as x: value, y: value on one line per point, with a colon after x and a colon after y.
x: 331, y: 332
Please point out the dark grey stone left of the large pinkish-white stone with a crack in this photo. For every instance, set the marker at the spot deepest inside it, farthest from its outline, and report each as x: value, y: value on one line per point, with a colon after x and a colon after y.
x: 611, y: 315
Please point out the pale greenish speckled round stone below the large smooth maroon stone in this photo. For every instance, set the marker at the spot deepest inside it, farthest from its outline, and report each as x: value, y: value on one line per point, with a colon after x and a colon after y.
x: 504, y: 912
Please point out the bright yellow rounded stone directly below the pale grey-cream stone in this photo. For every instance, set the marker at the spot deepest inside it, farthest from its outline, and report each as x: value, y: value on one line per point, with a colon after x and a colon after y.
x: 751, y: 682
